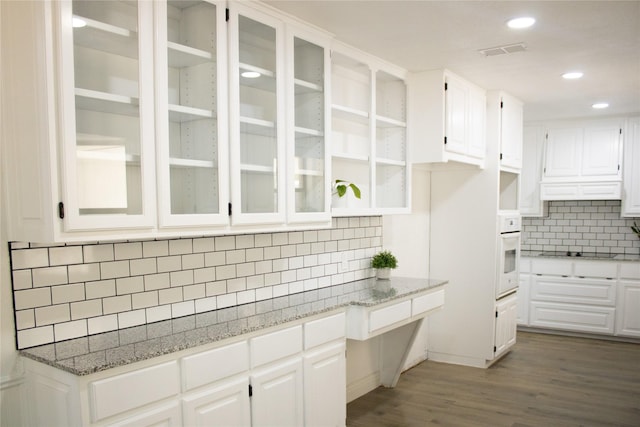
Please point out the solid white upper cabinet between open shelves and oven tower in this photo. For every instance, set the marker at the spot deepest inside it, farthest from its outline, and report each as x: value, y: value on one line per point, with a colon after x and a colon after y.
x: 447, y: 117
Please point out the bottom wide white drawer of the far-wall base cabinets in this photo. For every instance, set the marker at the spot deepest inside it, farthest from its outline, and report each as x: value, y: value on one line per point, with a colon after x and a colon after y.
x: 573, y: 317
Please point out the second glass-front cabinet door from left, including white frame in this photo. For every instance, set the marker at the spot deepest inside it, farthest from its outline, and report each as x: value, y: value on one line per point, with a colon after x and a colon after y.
x: 191, y: 117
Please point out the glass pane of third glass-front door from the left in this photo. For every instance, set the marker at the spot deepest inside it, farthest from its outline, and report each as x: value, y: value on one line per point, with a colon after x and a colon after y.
x: 258, y: 114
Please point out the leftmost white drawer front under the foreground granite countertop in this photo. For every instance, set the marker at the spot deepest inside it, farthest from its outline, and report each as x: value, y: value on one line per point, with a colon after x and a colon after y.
x: 121, y: 393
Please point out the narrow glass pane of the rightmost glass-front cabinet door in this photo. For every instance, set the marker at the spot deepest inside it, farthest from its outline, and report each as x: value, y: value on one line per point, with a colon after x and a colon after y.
x: 309, y: 127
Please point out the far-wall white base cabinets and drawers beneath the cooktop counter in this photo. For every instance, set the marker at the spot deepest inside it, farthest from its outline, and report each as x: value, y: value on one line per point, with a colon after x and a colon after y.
x: 584, y: 296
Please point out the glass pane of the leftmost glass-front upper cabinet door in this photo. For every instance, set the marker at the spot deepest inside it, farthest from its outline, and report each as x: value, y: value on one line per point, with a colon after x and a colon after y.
x: 106, y: 69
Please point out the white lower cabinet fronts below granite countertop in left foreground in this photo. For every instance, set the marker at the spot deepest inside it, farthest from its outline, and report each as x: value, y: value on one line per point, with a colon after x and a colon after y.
x: 293, y: 376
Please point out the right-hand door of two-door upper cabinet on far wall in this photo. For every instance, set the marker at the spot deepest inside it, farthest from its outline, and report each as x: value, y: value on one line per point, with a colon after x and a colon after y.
x: 601, y: 150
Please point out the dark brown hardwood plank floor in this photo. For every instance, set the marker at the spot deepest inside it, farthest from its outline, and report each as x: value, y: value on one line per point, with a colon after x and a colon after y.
x: 546, y: 380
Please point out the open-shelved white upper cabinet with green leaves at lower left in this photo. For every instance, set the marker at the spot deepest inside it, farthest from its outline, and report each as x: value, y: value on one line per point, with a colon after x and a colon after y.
x: 368, y: 131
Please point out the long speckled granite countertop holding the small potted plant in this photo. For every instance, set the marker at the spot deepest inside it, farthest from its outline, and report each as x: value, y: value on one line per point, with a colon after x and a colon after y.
x: 94, y: 353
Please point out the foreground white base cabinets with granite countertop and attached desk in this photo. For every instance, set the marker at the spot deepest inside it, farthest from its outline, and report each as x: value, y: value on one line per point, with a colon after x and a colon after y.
x: 277, y: 362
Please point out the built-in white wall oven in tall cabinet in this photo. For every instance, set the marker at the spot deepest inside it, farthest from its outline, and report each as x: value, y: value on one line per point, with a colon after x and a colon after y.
x: 509, y: 225
